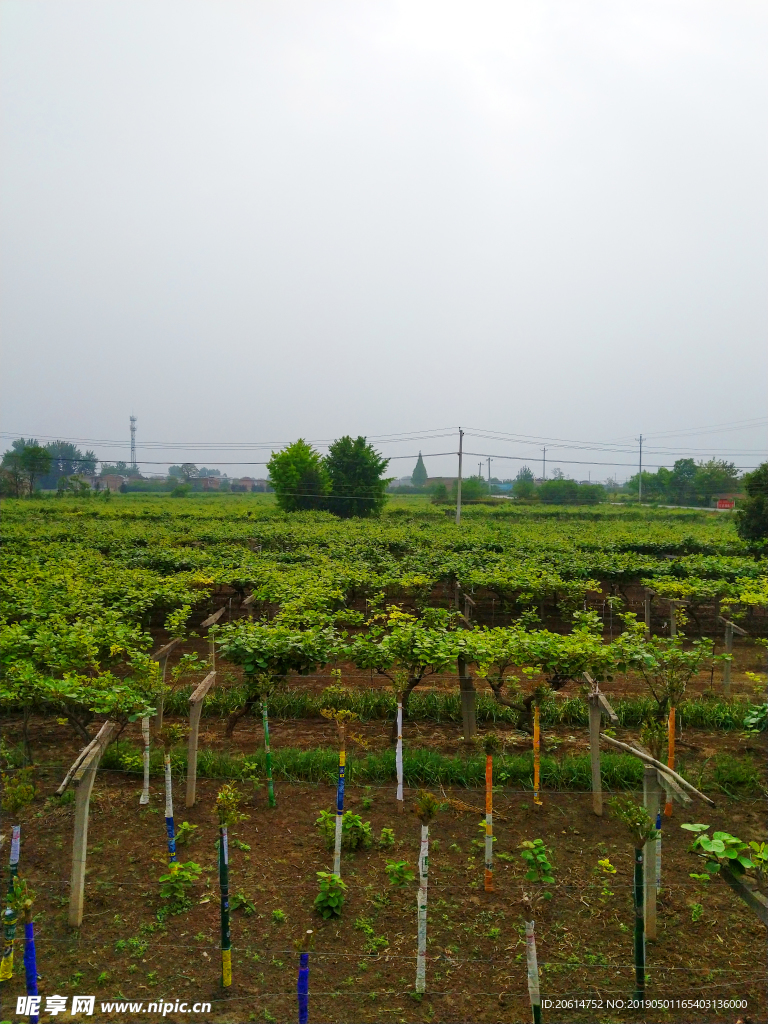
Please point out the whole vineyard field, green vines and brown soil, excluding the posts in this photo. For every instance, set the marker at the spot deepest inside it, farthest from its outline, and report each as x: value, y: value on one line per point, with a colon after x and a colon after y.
x: 319, y: 615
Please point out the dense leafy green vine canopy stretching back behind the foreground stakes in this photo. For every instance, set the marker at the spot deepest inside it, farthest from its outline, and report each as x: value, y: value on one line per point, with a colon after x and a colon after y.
x: 84, y: 584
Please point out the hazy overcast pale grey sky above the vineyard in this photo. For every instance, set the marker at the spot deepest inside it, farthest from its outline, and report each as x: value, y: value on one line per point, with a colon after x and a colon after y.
x: 250, y: 222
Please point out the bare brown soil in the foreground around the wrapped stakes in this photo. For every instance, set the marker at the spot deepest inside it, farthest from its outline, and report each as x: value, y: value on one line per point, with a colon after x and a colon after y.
x: 477, y: 970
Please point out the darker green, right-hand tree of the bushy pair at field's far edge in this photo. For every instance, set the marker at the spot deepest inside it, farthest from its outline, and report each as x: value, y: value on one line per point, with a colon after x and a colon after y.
x: 355, y: 471
